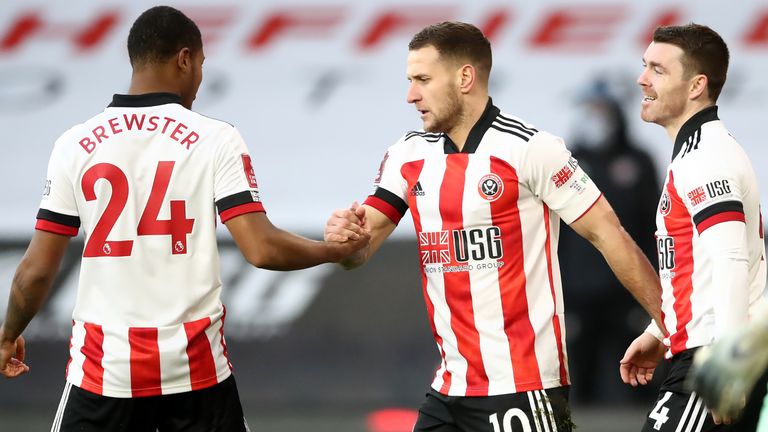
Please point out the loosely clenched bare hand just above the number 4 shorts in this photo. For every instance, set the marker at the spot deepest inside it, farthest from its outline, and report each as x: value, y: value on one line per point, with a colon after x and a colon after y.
x: 640, y: 360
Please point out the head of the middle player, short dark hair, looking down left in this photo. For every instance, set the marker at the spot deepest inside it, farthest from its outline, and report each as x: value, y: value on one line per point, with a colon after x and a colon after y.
x: 447, y: 62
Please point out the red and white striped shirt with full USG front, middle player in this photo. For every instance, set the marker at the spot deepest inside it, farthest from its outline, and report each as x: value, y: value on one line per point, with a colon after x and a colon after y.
x: 487, y: 223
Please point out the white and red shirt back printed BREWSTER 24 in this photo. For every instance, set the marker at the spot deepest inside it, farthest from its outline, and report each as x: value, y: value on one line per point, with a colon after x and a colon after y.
x: 145, y: 178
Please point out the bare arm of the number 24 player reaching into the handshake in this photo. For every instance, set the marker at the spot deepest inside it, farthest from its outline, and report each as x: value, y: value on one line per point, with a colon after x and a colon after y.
x: 266, y: 246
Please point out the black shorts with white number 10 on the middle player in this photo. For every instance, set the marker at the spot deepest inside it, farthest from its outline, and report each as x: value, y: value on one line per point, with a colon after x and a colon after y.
x: 532, y: 411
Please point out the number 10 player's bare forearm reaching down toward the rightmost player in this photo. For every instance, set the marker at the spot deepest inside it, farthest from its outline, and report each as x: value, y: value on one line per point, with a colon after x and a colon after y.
x: 633, y: 270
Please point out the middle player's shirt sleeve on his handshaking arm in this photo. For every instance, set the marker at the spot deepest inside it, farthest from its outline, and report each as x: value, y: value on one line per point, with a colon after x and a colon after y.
x: 390, y: 188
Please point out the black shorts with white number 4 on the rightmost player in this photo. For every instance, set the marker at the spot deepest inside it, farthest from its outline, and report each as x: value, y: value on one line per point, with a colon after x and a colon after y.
x: 676, y: 409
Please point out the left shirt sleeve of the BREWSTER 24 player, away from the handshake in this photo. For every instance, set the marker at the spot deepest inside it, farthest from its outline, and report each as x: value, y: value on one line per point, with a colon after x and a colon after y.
x: 58, y: 212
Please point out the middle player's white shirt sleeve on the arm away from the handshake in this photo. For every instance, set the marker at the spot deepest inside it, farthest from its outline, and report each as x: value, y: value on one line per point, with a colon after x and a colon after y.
x: 556, y: 178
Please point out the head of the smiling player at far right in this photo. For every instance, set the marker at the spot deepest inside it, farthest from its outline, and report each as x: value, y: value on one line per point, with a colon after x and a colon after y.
x: 685, y: 68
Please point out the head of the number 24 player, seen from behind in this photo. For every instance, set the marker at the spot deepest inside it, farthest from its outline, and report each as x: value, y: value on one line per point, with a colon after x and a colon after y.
x: 164, y: 37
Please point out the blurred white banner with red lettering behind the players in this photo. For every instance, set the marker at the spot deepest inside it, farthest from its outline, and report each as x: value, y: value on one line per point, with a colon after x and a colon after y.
x: 317, y: 145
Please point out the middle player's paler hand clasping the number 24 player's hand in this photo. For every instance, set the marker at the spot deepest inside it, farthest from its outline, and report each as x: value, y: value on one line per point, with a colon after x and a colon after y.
x: 345, y: 222
